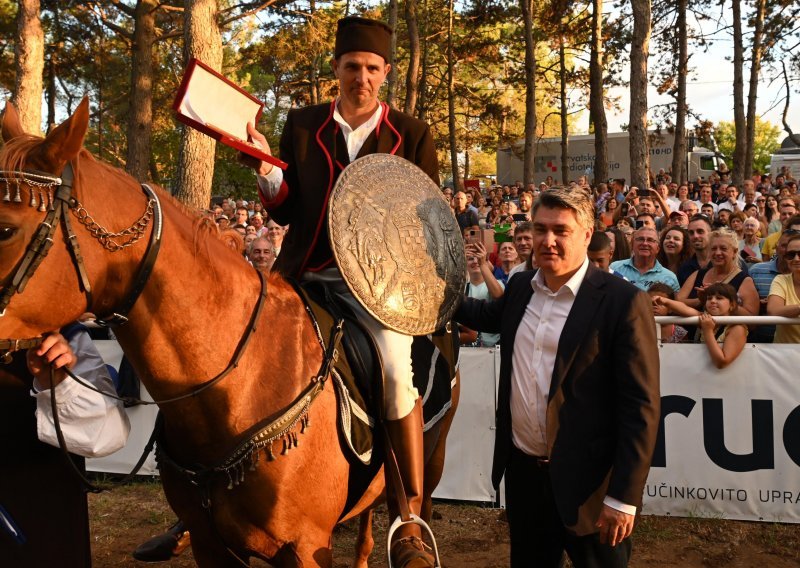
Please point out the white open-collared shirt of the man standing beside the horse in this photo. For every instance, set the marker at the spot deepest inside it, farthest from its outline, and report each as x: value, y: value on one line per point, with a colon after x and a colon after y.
x: 532, y: 362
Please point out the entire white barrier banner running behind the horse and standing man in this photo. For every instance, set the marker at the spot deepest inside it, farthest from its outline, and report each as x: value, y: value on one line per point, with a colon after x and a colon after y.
x: 729, y: 446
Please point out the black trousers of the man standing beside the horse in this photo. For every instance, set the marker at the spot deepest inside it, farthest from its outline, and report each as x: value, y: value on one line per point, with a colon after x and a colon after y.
x: 538, y: 536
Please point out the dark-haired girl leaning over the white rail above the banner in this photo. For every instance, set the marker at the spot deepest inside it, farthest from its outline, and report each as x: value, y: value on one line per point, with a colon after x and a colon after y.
x: 724, y: 343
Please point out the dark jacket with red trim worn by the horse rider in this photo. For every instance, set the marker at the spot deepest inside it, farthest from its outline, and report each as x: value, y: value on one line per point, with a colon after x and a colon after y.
x: 313, y: 145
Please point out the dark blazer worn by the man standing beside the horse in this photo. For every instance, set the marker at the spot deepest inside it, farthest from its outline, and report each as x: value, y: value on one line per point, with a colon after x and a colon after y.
x: 604, y: 405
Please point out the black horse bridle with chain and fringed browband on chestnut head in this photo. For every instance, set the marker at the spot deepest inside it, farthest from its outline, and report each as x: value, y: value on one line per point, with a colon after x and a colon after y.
x: 58, y: 204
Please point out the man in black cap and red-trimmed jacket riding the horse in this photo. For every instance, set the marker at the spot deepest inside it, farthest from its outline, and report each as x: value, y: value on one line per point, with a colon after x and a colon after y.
x: 318, y: 142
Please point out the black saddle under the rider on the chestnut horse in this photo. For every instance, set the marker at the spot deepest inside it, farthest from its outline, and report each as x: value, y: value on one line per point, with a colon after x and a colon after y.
x: 357, y: 371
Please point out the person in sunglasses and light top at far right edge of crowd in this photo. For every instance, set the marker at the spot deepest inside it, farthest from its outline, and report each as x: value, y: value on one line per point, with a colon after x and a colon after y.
x: 784, y: 294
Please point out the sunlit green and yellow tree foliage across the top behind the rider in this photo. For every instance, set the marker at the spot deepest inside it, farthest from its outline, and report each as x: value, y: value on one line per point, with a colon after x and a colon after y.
x: 282, y: 56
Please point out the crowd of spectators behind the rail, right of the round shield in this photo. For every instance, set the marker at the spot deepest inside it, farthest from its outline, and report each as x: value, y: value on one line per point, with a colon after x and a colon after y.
x: 706, y: 248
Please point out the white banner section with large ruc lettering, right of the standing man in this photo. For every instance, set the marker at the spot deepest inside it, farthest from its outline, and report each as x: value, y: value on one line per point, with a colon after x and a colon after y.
x: 730, y: 443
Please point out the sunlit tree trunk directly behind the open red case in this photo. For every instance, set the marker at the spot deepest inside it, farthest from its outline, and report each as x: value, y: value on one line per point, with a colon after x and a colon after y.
x: 196, y: 160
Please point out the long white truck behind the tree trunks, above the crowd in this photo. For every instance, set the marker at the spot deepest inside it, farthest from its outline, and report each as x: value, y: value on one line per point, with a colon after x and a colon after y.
x: 701, y: 162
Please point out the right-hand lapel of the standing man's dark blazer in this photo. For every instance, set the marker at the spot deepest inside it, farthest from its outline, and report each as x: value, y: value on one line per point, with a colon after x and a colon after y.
x: 576, y: 326
